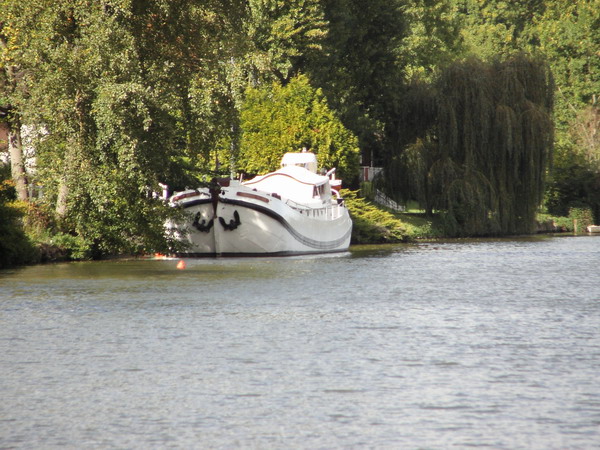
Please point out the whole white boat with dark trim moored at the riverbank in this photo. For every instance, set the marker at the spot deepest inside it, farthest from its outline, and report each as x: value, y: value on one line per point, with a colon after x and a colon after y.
x: 290, y: 211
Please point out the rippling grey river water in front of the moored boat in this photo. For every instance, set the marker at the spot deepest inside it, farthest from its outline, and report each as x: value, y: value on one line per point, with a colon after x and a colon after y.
x: 492, y: 344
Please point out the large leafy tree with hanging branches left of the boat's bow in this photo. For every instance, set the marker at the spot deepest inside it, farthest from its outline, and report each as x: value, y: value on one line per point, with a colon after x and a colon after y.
x: 111, y: 84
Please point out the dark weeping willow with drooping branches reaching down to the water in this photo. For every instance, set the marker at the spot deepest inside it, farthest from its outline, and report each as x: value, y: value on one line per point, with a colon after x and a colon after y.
x: 482, y: 159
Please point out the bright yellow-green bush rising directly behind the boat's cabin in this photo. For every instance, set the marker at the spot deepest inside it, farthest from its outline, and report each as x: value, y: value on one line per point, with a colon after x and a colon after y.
x: 278, y: 119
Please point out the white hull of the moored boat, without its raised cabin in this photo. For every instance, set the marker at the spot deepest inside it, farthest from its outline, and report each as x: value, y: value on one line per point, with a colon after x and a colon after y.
x: 241, y: 221
